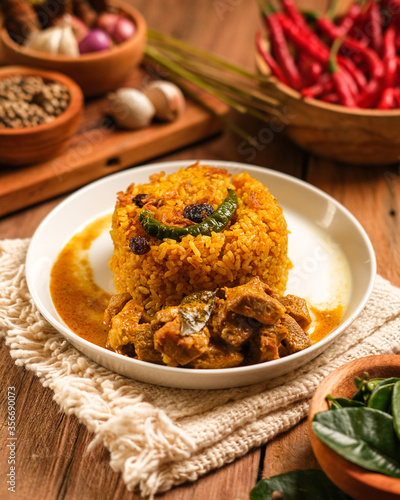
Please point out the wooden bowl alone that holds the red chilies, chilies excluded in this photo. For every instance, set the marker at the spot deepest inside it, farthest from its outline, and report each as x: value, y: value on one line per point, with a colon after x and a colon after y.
x: 356, y: 136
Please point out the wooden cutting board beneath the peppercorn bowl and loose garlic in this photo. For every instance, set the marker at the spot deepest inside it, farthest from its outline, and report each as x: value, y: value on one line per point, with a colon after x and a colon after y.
x: 99, y: 149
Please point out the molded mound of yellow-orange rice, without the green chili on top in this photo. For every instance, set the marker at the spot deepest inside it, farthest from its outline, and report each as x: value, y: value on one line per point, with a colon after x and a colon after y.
x: 254, y: 243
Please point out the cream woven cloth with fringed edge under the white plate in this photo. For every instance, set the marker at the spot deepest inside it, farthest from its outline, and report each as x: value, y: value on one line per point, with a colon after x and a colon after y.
x: 160, y: 437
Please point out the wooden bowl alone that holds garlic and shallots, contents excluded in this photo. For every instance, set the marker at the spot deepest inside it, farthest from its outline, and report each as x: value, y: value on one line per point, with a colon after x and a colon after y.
x: 96, y: 73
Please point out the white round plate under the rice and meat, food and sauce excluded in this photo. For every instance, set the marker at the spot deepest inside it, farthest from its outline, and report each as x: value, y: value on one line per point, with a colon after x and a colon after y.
x: 332, y: 256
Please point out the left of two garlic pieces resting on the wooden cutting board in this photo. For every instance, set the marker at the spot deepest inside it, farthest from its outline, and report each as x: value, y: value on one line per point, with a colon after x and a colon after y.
x: 131, y: 109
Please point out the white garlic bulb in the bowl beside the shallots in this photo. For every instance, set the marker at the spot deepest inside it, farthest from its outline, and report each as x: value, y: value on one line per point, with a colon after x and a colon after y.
x: 58, y: 40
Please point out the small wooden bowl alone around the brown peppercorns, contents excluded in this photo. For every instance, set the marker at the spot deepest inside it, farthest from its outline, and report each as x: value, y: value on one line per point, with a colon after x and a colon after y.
x: 30, y: 145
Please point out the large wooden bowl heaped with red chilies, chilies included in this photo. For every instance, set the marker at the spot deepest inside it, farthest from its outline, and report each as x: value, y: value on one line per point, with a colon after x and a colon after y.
x: 338, y: 81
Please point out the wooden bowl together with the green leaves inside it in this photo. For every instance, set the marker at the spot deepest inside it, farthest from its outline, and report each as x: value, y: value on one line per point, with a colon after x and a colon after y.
x: 371, y: 438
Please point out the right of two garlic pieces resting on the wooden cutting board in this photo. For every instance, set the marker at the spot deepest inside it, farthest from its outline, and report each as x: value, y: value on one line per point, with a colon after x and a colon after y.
x: 167, y: 98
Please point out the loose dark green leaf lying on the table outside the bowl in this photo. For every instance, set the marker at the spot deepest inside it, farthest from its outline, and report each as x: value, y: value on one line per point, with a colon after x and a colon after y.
x: 311, y: 484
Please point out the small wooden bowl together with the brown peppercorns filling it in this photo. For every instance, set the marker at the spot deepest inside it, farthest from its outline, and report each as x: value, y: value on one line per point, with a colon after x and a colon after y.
x: 39, y: 113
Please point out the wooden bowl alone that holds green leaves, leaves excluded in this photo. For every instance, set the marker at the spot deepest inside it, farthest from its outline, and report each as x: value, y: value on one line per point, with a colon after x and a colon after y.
x: 359, y: 483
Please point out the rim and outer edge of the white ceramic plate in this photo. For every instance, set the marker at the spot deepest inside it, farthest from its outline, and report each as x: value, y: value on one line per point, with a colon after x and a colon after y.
x: 190, y: 378
